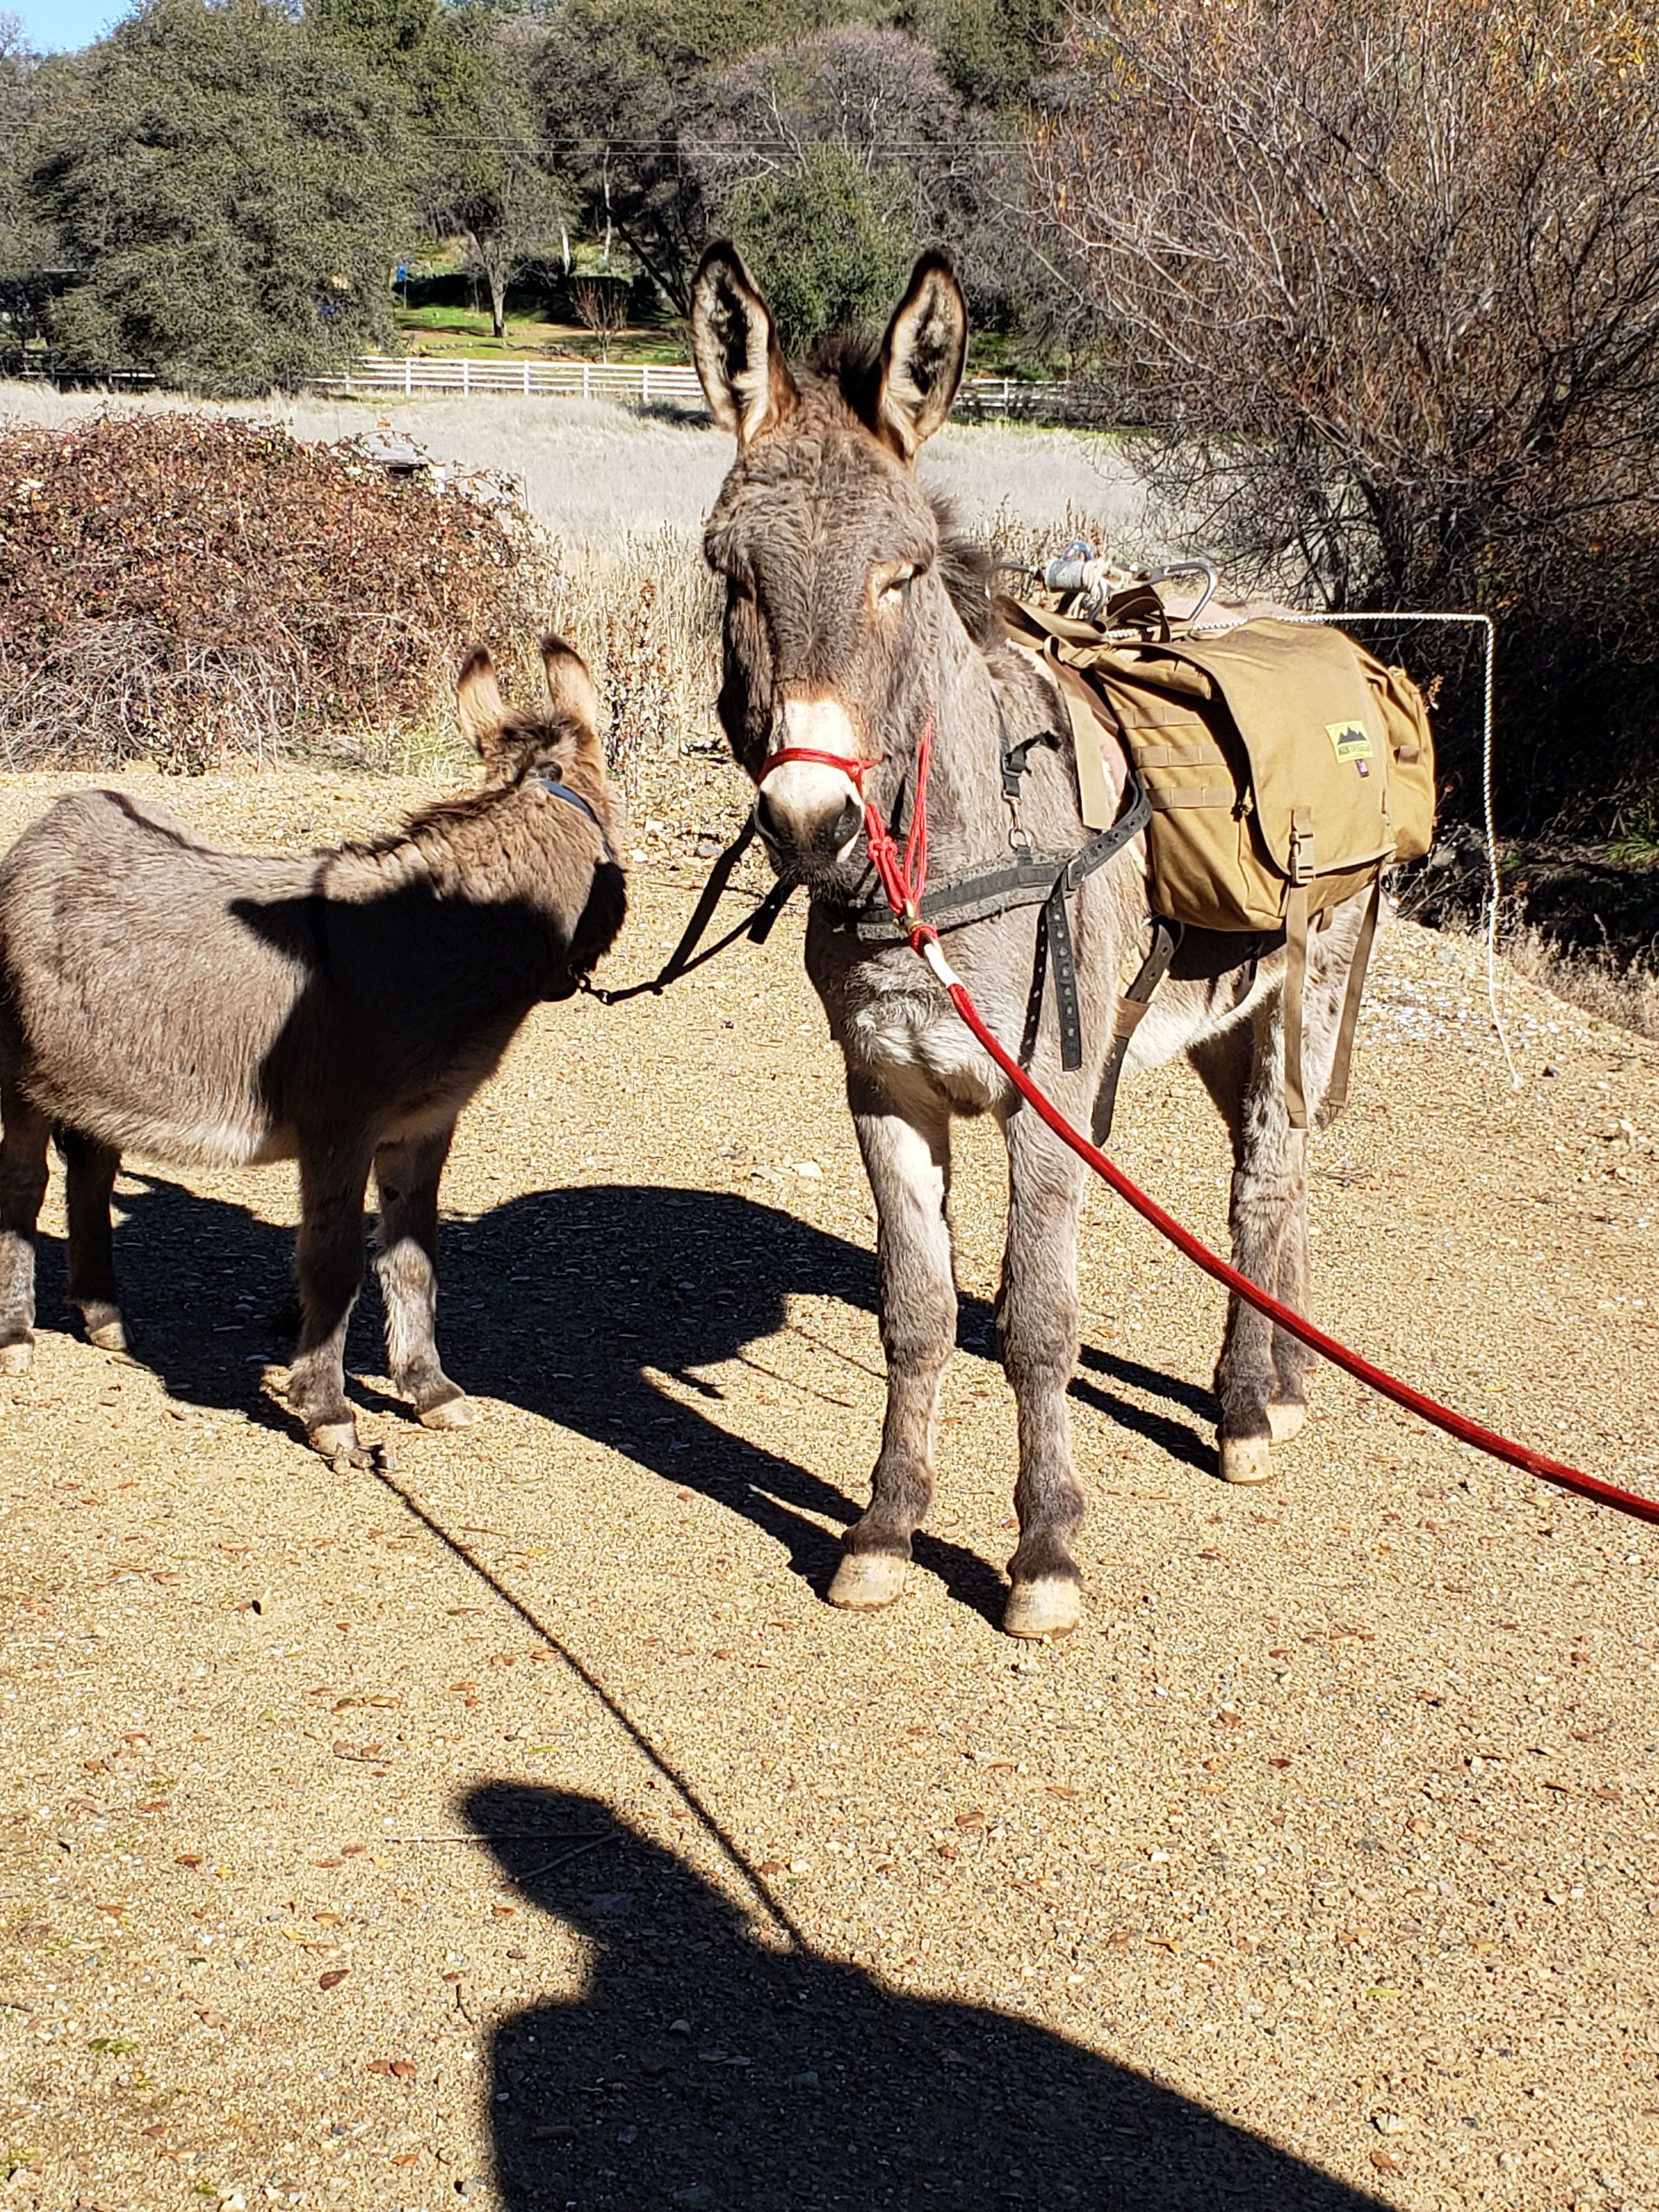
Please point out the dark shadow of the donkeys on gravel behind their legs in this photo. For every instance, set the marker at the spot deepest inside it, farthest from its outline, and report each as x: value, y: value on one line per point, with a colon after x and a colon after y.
x: 570, y: 1304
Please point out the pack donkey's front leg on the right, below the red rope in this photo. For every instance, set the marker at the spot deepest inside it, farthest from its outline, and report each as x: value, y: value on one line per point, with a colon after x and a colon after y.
x: 1039, y: 1328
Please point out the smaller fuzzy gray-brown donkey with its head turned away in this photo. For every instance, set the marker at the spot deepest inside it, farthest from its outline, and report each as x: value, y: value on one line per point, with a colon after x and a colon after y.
x: 222, y: 1010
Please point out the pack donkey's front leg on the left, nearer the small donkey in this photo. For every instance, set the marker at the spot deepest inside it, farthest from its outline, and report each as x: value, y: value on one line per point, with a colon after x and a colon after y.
x: 908, y: 1158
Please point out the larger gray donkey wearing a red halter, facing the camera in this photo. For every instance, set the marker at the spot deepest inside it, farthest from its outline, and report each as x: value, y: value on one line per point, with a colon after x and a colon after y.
x: 855, y: 618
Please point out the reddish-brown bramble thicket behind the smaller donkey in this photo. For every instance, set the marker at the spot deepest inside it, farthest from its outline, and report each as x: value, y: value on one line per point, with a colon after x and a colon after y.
x: 185, y: 587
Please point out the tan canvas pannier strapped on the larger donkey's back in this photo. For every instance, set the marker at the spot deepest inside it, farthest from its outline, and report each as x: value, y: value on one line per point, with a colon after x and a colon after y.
x: 1286, y: 769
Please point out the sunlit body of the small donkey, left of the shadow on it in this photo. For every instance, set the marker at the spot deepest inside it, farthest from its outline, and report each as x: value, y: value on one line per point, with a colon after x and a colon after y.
x: 149, y: 979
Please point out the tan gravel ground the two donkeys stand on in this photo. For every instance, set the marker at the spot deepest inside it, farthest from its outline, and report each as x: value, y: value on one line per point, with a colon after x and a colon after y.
x: 362, y: 1850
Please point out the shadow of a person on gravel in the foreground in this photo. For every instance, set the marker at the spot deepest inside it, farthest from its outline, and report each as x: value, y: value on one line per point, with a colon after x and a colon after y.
x: 700, y: 2067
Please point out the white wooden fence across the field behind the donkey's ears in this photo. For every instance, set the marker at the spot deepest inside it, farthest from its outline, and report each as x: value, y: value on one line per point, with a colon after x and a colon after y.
x: 651, y: 382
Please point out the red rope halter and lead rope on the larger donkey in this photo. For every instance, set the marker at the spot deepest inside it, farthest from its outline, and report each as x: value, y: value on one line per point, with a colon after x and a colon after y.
x: 904, y: 886
